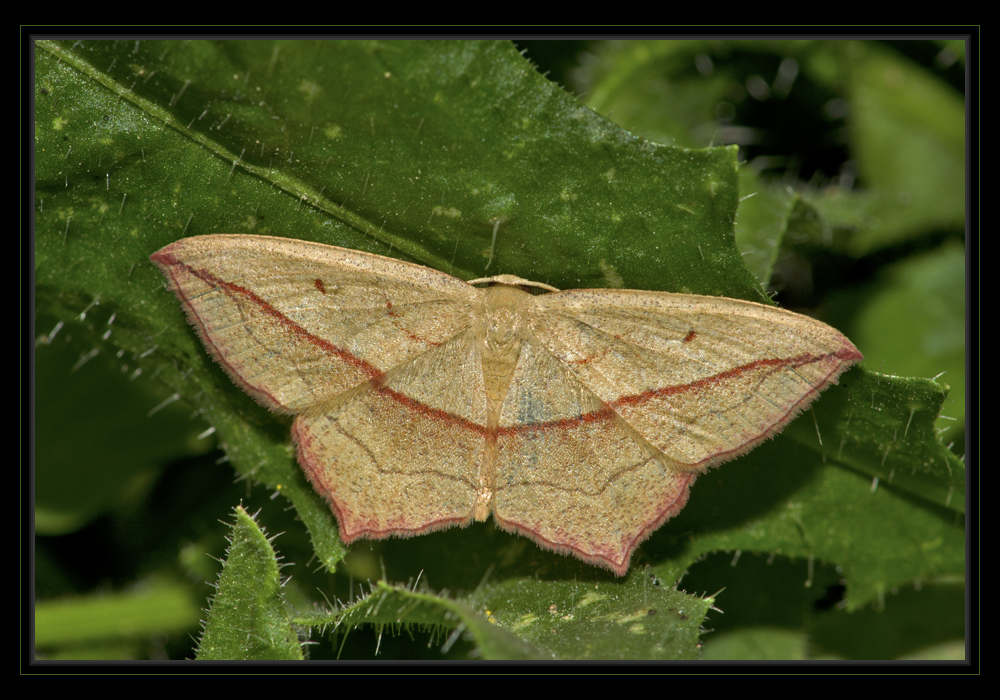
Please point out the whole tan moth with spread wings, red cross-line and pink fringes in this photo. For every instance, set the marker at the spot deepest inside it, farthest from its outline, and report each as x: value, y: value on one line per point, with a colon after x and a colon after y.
x: 579, y: 418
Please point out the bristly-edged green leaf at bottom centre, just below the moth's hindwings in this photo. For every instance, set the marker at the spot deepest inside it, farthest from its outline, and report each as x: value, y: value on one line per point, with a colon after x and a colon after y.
x: 643, y: 619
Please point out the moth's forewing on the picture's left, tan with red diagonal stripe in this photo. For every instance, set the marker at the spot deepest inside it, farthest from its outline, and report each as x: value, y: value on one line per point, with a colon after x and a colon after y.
x: 296, y: 323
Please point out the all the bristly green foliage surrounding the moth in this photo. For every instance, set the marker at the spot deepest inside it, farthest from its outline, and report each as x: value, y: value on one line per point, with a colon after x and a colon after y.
x: 459, y: 155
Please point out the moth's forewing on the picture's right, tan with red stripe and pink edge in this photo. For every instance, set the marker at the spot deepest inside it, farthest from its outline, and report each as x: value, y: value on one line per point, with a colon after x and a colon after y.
x: 704, y: 379
